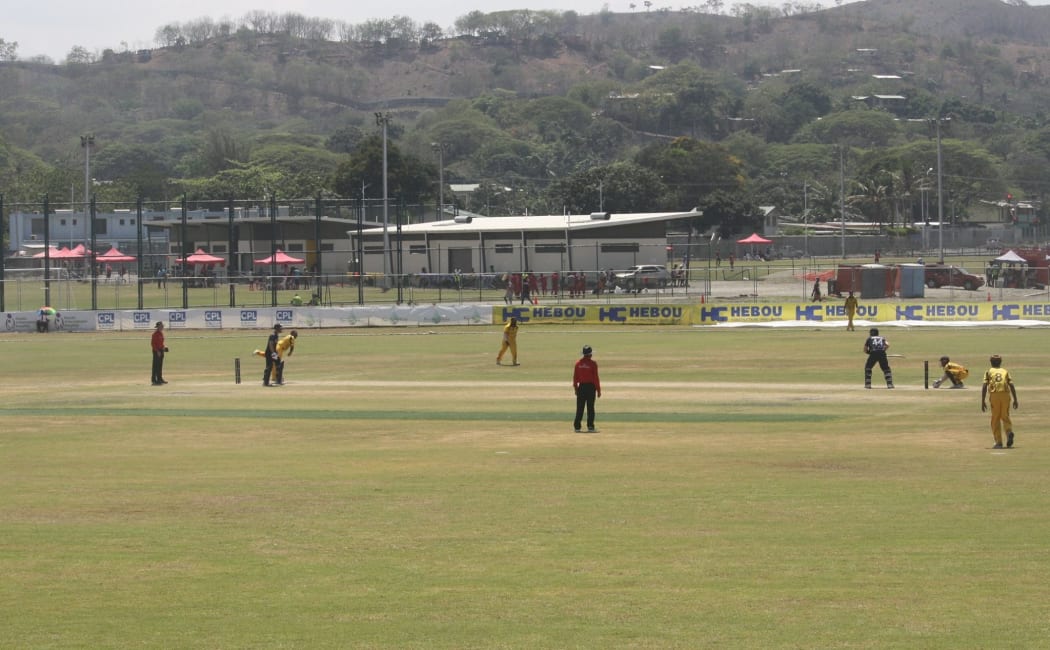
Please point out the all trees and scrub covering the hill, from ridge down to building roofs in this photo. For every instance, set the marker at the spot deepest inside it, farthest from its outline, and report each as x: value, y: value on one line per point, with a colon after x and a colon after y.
x: 553, y: 112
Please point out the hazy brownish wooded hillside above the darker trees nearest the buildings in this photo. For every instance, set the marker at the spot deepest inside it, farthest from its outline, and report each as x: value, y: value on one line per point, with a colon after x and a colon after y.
x: 641, y: 76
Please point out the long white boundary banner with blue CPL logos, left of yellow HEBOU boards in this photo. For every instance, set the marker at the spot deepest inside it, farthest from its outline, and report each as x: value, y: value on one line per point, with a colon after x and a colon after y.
x: 255, y: 319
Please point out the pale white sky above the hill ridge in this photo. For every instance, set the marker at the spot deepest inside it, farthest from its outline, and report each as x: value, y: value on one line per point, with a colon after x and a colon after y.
x: 53, y: 28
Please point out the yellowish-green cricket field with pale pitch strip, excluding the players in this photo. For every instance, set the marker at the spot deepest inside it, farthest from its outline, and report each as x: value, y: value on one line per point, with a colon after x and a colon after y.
x: 405, y: 492
